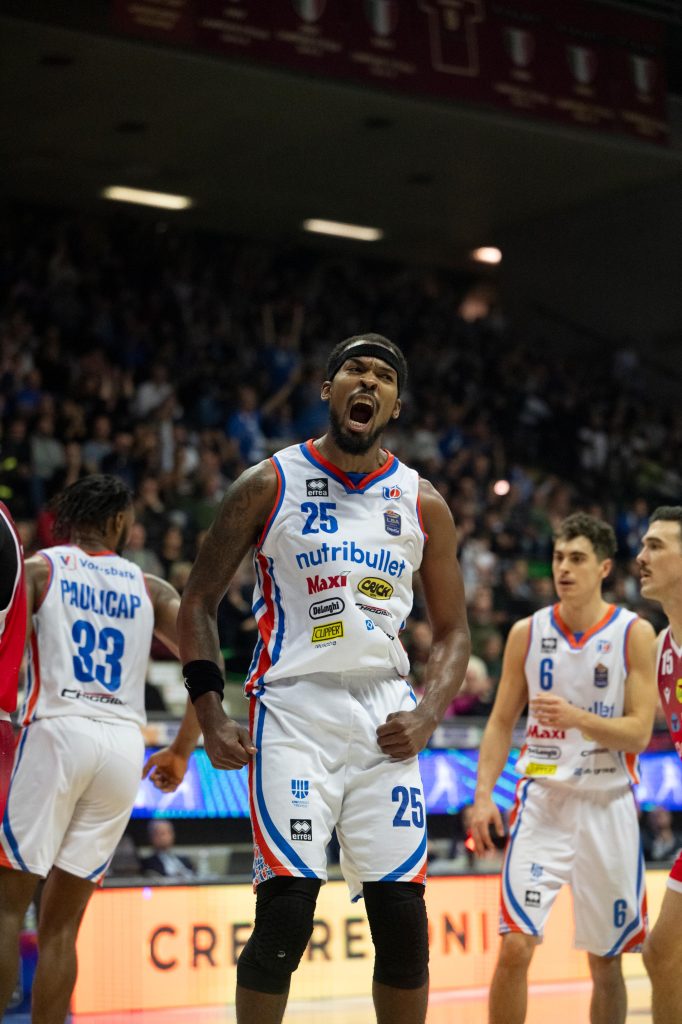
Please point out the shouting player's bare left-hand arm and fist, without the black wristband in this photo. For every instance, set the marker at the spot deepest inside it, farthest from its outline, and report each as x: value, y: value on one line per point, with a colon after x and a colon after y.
x: 243, y: 515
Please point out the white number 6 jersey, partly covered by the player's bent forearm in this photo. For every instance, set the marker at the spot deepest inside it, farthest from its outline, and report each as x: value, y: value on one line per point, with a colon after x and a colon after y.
x: 589, y: 670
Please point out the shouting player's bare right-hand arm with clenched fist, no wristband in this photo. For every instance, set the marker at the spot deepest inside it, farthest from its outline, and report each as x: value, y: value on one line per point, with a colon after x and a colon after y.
x: 406, y: 734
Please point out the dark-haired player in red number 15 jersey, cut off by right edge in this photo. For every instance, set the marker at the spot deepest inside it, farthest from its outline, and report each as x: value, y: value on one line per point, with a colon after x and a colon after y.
x: 661, y: 567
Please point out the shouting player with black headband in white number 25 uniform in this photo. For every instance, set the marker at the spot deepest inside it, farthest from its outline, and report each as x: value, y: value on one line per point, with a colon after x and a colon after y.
x: 339, y: 528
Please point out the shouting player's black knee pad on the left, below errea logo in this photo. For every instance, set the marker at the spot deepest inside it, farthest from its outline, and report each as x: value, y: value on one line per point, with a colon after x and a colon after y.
x: 285, y: 910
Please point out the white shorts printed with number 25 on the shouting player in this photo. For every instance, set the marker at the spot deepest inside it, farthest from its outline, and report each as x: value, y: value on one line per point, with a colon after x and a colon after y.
x: 320, y: 766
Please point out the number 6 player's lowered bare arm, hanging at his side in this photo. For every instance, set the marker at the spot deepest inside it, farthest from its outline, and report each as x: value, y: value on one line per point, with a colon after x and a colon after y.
x: 511, y: 698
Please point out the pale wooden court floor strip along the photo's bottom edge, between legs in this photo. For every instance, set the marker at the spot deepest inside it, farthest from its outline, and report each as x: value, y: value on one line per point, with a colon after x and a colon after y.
x: 565, y: 1004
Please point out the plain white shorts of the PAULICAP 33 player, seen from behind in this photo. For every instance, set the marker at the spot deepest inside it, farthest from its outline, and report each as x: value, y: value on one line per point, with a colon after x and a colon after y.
x: 72, y: 791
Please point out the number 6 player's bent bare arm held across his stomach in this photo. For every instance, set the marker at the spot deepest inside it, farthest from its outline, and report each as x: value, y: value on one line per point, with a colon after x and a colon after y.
x: 632, y: 732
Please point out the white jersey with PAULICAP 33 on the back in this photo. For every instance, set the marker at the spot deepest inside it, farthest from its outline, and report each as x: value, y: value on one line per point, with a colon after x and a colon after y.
x: 91, y: 644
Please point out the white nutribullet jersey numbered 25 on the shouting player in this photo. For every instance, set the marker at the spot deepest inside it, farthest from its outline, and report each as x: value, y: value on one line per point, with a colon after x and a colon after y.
x: 334, y: 569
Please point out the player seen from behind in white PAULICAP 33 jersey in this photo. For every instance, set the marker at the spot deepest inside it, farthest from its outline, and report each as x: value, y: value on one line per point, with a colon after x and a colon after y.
x: 79, y: 758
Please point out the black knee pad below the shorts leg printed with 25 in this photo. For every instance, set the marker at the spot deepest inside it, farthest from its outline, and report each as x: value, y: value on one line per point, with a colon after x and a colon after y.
x: 400, y: 931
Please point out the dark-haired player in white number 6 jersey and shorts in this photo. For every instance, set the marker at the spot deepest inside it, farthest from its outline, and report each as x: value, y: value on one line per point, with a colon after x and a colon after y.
x: 586, y: 670
